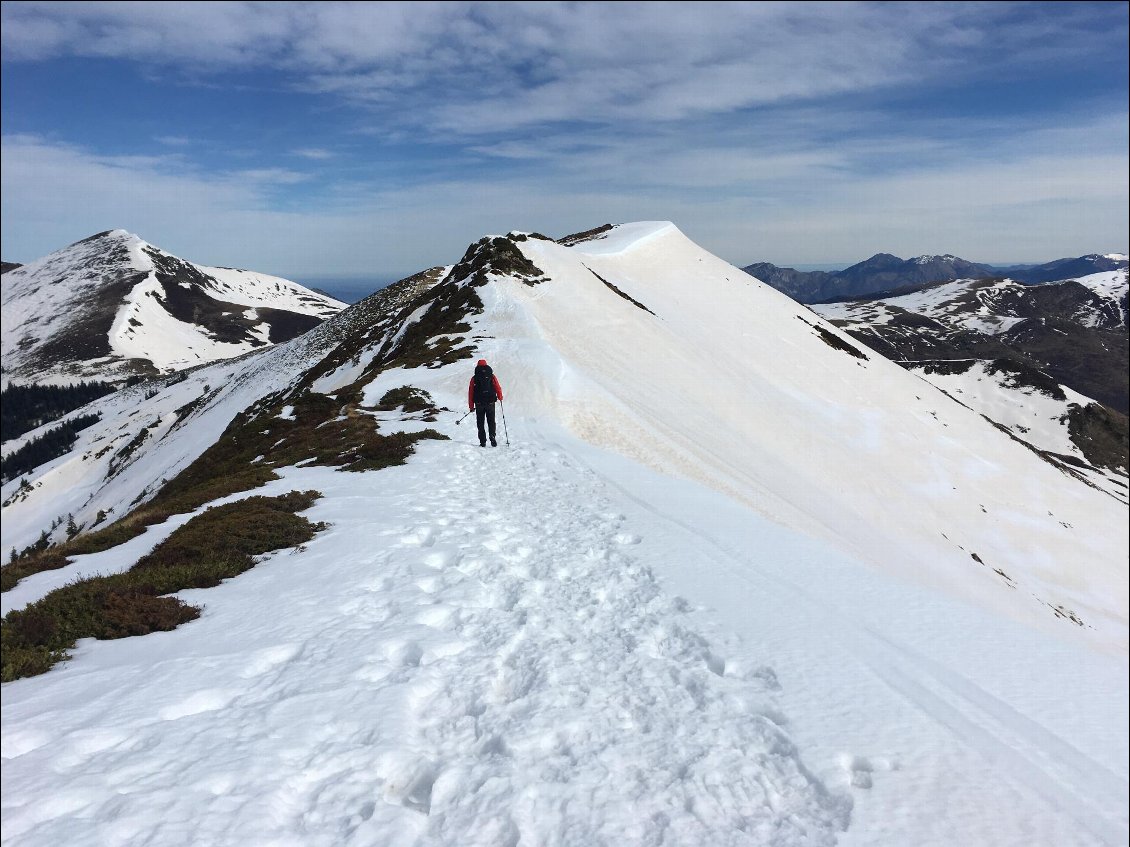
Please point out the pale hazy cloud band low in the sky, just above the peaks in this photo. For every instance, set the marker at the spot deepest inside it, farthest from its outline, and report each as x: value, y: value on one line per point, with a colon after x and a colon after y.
x: 1035, y: 208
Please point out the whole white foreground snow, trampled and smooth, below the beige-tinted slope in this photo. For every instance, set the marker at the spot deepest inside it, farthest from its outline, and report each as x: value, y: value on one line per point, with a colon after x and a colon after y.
x: 550, y: 644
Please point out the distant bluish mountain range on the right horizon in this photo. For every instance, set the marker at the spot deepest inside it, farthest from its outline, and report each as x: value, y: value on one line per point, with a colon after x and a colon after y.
x: 886, y: 274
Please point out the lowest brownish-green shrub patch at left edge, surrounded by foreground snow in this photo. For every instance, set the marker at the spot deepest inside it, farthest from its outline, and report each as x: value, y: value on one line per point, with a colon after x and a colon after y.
x: 218, y: 545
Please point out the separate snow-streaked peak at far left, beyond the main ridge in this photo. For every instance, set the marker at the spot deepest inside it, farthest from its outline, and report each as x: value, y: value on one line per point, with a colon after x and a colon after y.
x: 112, y: 305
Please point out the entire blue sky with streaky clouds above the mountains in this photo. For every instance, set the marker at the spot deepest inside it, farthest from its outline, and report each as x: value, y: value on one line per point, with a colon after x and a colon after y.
x: 378, y: 139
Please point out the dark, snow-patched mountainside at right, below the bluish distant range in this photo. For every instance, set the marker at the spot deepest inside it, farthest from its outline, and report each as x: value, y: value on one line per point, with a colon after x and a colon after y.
x: 1031, y: 359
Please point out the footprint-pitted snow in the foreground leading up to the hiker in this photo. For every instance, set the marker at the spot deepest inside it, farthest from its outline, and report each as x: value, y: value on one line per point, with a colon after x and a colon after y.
x: 476, y: 658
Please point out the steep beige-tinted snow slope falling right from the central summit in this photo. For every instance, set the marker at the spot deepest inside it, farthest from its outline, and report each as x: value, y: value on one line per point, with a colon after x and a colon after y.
x: 729, y: 383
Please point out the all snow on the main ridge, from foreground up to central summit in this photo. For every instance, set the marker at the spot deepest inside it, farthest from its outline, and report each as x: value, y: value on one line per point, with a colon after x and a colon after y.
x: 722, y: 590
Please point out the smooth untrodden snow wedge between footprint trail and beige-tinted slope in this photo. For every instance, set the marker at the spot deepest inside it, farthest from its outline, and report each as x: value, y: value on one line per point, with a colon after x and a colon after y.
x: 971, y: 729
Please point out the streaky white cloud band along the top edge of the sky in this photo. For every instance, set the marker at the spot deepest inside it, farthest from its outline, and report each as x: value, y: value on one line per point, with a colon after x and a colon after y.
x: 490, y: 68
